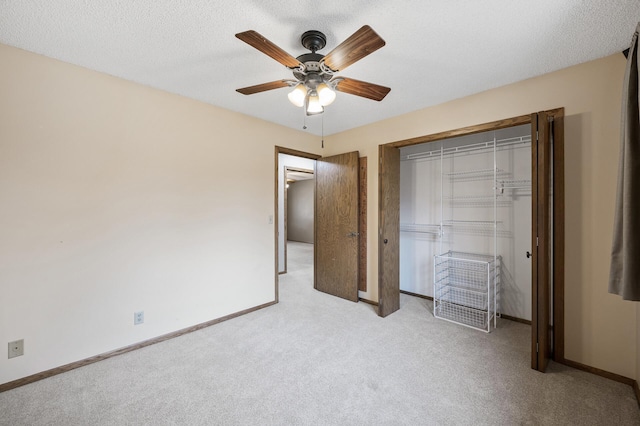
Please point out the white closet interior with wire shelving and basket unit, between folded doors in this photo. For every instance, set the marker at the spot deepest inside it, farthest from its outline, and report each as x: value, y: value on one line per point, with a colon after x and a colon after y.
x: 465, y: 225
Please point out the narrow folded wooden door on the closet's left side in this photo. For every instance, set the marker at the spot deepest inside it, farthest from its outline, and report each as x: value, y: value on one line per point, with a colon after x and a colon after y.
x: 389, y: 235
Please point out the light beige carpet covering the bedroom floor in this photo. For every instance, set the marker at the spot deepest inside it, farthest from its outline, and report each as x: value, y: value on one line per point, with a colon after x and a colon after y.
x: 316, y: 359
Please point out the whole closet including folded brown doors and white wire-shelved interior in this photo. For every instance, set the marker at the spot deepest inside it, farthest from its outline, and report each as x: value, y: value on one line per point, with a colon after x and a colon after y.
x: 489, y: 195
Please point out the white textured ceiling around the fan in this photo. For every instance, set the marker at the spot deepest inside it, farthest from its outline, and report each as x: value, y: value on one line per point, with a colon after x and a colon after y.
x: 435, y: 50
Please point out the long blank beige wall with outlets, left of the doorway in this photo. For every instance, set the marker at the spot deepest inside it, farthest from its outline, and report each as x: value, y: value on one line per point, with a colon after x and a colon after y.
x: 118, y: 198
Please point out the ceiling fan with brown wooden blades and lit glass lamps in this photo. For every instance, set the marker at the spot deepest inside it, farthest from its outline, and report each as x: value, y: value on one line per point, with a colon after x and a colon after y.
x: 315, y: 81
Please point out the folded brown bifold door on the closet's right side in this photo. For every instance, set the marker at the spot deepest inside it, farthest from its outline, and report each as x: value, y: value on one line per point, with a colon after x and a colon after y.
x: 542, y: 240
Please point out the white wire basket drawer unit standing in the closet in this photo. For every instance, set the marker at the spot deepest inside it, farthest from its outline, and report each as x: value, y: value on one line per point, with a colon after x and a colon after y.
x: 466, y: 289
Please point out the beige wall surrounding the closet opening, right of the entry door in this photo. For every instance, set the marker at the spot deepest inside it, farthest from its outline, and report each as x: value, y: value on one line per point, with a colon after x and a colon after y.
x: 600, y: 328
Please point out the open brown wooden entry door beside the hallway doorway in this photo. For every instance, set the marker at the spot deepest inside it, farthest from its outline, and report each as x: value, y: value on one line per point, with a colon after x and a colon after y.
x: 336, y: 232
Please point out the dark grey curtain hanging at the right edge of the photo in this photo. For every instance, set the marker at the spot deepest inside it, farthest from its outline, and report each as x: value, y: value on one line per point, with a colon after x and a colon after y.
x: 624, y: 276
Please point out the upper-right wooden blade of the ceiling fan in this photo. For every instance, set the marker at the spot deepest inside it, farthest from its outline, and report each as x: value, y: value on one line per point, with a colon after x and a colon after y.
x: 360, y: 44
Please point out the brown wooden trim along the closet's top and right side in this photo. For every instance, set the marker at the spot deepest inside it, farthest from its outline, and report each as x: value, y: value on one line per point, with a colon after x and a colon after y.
x: 558, y: 213
